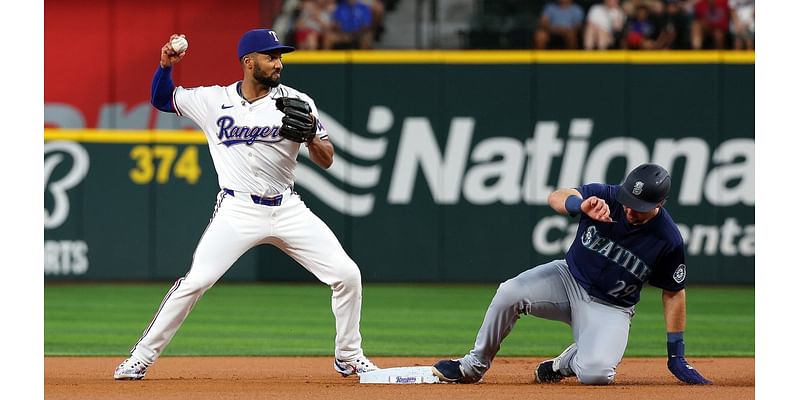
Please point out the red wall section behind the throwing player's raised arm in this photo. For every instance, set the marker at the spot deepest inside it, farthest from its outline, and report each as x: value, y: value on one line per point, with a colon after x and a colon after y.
x: 100, y: 56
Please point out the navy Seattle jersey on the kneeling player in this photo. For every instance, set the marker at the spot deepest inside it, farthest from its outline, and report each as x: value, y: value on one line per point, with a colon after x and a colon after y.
x: 612, y: 261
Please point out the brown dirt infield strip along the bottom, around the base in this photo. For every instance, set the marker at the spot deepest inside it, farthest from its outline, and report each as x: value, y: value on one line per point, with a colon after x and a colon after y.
x: 200, y: 378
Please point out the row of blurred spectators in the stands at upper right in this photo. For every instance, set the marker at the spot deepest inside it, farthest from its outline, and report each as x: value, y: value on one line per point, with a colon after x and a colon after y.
x: 647, y: 25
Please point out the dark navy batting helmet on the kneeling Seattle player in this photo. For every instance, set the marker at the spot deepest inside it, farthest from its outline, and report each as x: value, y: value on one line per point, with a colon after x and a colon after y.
x: 645, y: 188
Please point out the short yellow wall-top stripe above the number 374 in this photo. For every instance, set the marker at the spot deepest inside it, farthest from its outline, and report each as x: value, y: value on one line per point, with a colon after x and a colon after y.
x: 126, y: 136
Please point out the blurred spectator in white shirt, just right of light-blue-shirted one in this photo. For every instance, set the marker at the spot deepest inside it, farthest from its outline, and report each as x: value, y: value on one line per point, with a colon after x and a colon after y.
x: 604, y: 25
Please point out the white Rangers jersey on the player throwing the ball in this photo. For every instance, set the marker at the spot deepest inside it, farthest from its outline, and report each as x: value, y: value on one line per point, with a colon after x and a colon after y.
x: 248, y: 153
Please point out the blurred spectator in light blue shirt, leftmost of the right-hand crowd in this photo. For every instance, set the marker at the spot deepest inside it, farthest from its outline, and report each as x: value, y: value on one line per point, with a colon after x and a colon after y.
x: 562, y: 21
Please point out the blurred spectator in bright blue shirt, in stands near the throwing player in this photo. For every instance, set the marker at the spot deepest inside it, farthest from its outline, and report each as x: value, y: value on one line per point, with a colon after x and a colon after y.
x: 351, y: 26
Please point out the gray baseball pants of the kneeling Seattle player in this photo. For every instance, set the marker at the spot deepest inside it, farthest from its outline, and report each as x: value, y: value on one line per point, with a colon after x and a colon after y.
x: 549, y: 291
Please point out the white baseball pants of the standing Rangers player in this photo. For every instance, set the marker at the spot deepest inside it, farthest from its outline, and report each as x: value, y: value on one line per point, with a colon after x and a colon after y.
x: 238, y: 224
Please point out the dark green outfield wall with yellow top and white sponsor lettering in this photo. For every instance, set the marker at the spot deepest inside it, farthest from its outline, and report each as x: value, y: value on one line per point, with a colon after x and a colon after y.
x: 443, y: 166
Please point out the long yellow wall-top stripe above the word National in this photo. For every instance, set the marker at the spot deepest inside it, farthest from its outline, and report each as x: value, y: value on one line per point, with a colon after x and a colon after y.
x: 519, y: 57
